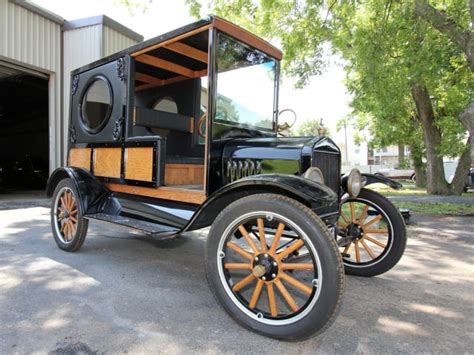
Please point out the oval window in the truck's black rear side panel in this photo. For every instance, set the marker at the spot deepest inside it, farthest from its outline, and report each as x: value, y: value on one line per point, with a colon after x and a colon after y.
x: 96, y: 105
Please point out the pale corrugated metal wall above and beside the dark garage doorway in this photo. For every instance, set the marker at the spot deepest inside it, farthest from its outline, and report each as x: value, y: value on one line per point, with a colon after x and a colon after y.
x: 31, y: 40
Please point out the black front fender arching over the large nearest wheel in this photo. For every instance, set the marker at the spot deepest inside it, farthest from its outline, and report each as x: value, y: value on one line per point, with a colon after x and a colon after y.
x: 320, y: 198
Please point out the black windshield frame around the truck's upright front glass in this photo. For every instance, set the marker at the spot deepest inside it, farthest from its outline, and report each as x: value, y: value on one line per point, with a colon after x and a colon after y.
x: 213, y: 79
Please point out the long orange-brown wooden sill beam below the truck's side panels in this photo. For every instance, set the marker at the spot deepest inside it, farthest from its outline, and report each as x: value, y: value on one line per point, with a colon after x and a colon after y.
x: 163, y: 192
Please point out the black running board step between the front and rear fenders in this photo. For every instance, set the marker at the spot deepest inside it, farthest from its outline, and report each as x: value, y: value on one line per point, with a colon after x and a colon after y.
x: 147, y: 227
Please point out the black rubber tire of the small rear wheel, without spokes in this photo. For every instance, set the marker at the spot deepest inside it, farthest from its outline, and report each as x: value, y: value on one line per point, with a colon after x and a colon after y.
x: 82, y: 223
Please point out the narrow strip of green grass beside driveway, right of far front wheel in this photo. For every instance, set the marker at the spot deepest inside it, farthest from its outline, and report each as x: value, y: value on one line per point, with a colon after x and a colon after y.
x: 435, y: 208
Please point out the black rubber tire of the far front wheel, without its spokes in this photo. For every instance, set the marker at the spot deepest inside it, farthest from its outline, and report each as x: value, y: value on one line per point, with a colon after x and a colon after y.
x: 399, y: 236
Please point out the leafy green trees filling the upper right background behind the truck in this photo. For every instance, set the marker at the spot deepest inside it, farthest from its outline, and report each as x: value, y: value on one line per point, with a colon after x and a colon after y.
x: 410, y: 65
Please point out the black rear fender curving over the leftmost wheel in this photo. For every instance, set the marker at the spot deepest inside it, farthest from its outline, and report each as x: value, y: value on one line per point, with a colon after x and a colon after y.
x: 90, y: 189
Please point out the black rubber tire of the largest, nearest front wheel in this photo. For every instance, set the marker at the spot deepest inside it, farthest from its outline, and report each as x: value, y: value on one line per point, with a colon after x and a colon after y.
x: 327, y: 305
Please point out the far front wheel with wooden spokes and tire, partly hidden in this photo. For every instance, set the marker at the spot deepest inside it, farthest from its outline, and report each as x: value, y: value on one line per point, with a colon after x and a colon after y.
x: 371, y: 234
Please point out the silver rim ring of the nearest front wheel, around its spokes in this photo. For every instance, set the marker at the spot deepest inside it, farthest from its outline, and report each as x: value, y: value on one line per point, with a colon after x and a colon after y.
x: 257, y: 315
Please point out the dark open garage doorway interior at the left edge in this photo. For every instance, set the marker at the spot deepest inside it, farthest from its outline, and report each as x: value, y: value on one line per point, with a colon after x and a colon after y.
x: 24, y: 143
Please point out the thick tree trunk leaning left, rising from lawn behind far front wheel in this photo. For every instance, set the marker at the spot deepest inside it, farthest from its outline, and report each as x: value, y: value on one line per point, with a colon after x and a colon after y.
x: 436, y: 182
